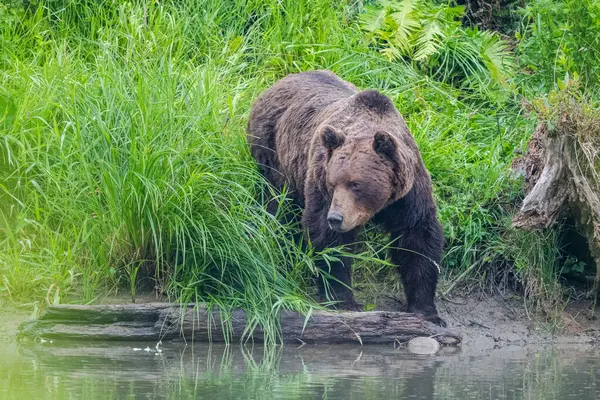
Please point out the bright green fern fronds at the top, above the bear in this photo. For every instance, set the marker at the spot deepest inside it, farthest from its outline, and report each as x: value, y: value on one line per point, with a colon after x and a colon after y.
x: 432, y: 36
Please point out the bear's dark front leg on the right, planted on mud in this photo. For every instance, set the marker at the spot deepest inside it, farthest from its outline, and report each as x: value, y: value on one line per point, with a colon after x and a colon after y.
x: 418, y: 252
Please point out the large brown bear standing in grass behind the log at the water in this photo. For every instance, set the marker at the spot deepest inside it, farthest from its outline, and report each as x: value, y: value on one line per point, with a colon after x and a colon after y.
x: 347, y: 158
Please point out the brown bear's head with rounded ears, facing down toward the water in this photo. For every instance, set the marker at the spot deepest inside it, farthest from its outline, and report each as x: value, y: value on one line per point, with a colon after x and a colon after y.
x: 365, y: 171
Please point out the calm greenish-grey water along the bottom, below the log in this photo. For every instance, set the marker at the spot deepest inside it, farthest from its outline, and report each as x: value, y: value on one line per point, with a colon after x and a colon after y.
x: 118, y: 371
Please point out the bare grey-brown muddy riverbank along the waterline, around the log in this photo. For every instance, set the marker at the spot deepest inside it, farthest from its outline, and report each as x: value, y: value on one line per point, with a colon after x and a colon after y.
x: 485, y: 322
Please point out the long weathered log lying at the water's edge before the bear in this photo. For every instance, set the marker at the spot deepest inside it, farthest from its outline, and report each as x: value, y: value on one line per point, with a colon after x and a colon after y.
x: 161, y: 321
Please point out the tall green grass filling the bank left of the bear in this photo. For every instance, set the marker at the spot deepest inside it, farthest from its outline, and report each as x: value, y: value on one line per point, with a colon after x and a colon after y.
x: 126, y: 153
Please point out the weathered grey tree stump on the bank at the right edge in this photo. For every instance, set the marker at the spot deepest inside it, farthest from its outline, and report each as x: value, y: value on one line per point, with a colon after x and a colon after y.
x: 561, y: 171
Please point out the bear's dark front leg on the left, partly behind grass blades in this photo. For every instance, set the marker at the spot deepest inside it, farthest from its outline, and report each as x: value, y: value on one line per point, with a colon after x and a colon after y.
x: 338, y: 288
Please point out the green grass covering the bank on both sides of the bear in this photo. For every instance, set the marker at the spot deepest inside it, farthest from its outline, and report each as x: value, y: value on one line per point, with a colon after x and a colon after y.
x: 123, y: 162
